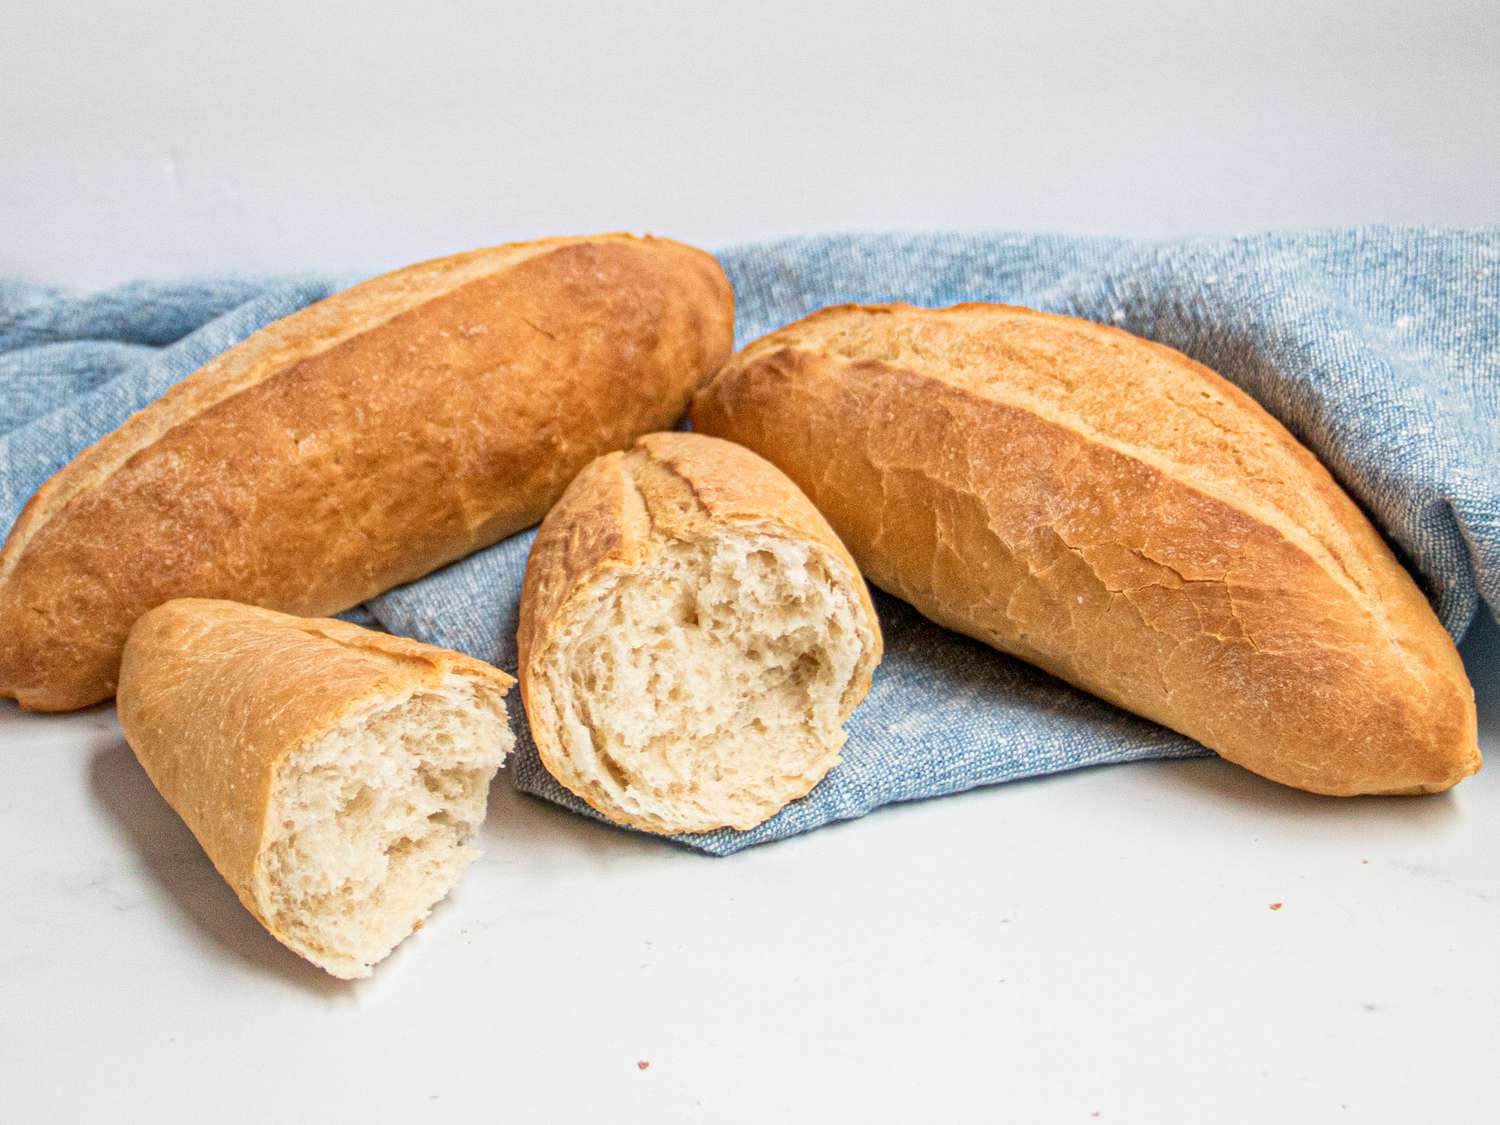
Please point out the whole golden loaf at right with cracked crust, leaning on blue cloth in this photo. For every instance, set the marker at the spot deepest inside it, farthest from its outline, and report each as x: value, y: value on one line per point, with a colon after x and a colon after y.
x: 1120, y: 515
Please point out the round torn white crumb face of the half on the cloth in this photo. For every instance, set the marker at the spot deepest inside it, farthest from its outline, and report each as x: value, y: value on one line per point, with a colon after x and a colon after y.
x: 706, y: 688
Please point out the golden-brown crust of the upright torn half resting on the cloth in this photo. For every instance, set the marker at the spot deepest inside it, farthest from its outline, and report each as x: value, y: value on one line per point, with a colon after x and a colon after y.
x: 616, y: 515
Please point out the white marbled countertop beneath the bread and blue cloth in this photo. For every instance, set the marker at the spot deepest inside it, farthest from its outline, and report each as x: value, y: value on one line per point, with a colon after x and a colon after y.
x: 1094, y: 943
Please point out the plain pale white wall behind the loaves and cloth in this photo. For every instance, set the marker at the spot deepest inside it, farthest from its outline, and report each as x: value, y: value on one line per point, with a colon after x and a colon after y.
x: 161, y: 139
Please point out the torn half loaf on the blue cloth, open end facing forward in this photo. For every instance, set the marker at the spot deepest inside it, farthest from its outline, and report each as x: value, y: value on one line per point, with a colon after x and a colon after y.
x: 692, y: 638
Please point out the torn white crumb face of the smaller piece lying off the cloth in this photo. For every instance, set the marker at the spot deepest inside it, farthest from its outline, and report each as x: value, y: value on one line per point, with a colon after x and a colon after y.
x: 370, y: 824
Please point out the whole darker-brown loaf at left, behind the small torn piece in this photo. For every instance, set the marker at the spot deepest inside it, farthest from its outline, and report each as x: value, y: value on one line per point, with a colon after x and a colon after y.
x: 358, y: 445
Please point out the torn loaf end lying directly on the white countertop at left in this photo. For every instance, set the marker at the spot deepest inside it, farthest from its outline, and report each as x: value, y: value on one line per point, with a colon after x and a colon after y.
x: 332, y: 775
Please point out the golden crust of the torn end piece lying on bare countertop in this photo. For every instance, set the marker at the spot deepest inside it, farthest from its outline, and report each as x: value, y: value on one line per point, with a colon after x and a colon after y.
x: 215, y: 695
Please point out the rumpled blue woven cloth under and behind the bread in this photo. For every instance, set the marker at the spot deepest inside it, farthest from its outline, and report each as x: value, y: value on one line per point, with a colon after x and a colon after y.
x: 1376, y: 347
